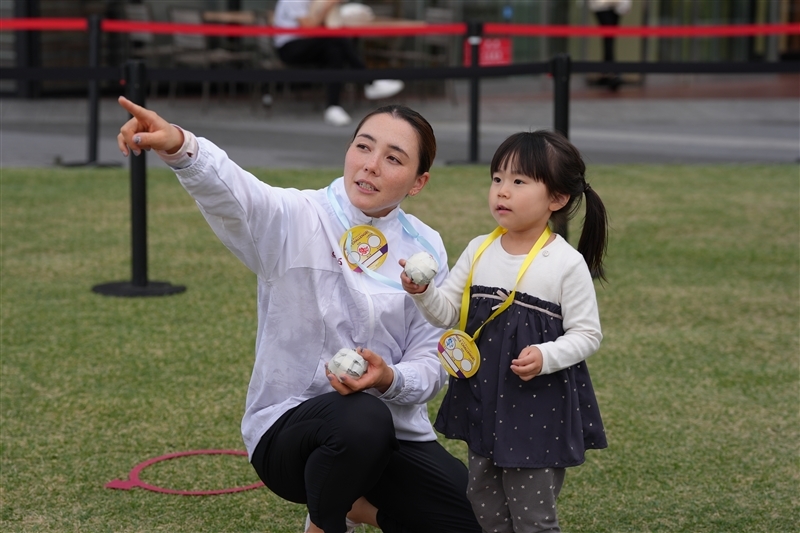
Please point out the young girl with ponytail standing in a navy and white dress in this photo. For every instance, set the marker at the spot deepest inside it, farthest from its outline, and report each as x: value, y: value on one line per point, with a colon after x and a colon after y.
x: 520, y: 395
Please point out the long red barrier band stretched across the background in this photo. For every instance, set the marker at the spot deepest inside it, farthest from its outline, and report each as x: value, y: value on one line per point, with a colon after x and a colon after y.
x: 489, y: 28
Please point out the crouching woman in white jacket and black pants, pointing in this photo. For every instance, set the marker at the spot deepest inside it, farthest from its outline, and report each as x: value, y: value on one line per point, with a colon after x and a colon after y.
x: 353, y: 451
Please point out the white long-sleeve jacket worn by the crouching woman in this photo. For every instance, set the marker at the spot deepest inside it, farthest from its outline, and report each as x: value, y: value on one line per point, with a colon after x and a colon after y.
x: 310, y: 303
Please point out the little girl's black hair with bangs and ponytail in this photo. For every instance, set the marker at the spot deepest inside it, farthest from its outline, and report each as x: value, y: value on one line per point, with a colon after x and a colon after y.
x: 550, y: 158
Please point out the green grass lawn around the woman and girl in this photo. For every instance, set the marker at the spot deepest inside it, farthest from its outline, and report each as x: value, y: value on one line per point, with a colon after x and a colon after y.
x: 697, y: 377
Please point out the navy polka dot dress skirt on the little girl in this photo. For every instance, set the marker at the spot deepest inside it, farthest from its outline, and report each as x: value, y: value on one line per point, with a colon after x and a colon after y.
x: 548, y: 421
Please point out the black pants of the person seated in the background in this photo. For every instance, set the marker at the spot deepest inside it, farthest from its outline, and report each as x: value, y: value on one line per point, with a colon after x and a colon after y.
x: 323, y: 52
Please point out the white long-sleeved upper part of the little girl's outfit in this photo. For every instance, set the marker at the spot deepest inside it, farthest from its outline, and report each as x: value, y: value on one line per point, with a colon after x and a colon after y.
x: 558, y: 274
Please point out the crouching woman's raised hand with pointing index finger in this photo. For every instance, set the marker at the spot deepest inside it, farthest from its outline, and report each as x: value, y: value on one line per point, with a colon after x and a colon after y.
x: 146, y: 130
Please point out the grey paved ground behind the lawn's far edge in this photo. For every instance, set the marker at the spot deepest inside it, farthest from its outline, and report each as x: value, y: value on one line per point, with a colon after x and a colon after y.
x: 666, y: 119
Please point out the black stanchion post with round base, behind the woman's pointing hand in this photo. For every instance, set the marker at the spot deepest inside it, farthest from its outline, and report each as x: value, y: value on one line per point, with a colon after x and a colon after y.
x: 135, y: 81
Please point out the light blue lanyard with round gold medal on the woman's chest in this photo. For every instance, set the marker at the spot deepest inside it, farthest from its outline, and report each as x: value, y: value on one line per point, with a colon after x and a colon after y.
x: 365, y: 248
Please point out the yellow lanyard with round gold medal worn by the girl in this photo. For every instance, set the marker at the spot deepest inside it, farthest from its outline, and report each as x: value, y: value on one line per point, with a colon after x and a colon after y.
x: 458, y: 351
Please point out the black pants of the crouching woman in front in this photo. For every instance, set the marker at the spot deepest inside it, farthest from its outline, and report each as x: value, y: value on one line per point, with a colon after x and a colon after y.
x: 333, y: 449
